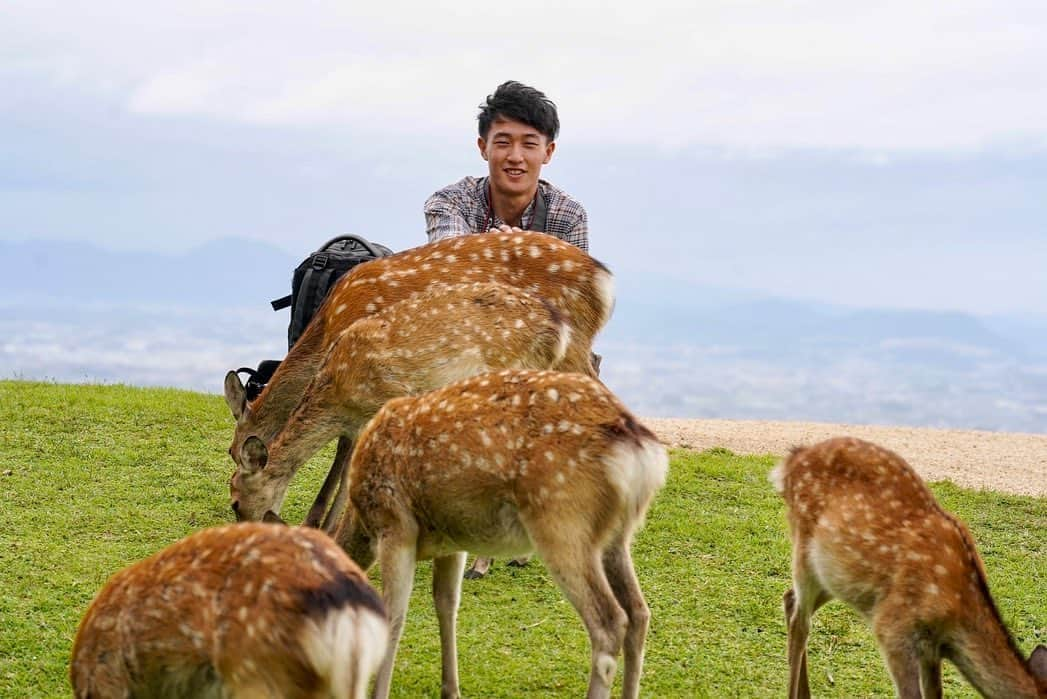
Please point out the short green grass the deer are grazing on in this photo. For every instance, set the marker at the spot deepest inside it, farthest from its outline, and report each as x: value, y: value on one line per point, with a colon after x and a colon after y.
x: 96, y: 478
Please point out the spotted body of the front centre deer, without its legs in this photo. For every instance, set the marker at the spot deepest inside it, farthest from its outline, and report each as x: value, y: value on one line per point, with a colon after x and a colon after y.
x: 474, y: 462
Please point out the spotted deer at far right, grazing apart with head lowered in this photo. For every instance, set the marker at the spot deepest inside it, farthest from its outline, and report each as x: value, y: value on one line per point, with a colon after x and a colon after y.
x: 866, y: 530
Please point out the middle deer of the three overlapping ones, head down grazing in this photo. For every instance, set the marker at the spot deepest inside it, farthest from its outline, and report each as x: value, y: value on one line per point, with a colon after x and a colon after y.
x: 424, y: 343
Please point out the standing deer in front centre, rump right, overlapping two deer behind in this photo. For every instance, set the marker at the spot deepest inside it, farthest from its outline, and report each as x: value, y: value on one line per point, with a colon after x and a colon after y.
x: 504, y: 464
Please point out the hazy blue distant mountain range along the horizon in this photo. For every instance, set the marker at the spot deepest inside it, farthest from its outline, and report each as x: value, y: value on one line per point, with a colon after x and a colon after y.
x: 655, y: 311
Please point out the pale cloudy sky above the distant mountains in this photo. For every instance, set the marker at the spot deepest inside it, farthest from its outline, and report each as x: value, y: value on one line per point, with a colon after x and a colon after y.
x: 894, y: 155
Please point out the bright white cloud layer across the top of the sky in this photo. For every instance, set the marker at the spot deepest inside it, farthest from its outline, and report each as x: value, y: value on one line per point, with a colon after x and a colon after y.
x: 750, y: 76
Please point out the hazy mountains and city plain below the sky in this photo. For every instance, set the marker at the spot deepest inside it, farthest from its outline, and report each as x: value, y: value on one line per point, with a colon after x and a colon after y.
x: 76, y: 313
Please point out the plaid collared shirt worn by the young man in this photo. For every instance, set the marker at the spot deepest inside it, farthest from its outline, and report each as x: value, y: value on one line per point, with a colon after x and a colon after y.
x: 461, y: 210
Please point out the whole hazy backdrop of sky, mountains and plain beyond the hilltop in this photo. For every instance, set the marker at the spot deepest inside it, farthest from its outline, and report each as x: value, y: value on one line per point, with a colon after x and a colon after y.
x: 813, y: 211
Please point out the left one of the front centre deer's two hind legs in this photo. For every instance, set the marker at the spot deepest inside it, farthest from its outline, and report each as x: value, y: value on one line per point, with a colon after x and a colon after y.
x: 578, y: 572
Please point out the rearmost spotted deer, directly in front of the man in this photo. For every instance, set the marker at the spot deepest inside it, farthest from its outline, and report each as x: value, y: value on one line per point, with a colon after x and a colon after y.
x: 577, y: 286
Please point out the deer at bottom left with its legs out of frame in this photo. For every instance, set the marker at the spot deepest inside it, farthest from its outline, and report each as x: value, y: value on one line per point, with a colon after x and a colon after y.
x: 246, y: 612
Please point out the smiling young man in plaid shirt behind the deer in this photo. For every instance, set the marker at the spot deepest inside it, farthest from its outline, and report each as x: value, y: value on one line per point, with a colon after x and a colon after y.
x: 518, y: 137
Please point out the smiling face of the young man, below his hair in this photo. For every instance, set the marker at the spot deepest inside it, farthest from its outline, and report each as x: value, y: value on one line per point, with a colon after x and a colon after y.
x: 515, y: 153
